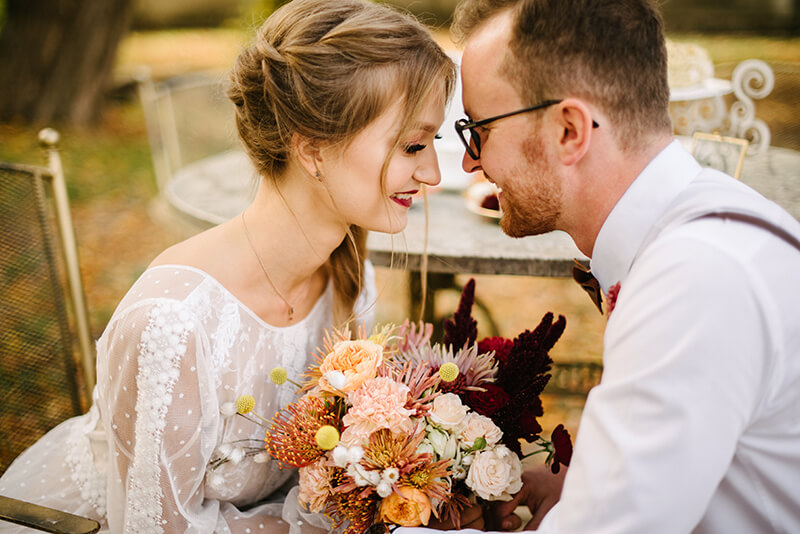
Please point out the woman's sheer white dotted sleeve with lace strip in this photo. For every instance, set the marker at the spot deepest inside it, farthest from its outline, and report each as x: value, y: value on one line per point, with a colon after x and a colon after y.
x: 161, y: 427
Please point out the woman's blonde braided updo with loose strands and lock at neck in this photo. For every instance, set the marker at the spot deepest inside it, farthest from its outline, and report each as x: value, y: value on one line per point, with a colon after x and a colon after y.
x: 325, y: 70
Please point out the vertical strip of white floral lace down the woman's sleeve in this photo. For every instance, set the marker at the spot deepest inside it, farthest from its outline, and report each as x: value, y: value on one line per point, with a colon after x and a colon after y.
x: 162, y: 345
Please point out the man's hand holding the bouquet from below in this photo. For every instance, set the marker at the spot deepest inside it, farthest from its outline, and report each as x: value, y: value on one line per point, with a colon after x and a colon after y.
x: 541, y: 489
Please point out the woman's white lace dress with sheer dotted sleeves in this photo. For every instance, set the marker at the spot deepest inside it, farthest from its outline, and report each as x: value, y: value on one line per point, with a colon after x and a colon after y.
x: 177, y: 348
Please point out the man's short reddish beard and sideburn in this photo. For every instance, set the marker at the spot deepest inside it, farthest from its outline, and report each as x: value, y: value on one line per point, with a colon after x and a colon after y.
x: 532, y: 199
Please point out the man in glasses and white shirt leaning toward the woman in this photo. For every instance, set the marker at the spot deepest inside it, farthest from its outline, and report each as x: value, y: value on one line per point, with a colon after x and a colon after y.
x: 695, y: 426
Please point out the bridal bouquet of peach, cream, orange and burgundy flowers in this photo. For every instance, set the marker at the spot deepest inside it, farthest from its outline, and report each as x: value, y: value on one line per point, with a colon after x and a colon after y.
x: 391, y: 428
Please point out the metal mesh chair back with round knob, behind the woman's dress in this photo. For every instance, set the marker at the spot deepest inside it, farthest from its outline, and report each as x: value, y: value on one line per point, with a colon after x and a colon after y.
x: 46, y: 353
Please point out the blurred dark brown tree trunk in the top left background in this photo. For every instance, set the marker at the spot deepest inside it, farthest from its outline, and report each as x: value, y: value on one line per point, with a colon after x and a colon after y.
x: 56, y: 58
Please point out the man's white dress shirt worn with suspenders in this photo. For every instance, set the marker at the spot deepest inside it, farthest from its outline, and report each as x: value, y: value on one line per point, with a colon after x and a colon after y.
x: 695, y: 426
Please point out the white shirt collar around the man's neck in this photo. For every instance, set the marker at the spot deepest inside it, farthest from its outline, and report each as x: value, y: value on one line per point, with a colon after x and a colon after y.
x: 642, y: 204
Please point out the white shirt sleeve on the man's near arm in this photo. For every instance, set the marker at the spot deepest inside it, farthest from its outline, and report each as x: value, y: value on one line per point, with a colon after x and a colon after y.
x: 683, y: 367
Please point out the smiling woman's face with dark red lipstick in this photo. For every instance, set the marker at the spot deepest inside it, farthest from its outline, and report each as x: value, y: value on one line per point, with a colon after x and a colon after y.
x: 353, y: 177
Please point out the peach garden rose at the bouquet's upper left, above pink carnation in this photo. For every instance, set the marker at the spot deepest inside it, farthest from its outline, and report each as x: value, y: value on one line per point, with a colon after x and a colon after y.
x: 357, y: 360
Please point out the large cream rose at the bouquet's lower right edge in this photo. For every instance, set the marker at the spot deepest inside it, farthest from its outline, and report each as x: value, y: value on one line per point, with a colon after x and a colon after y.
x: 495, y: 474
